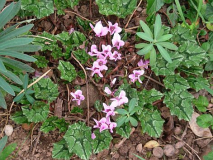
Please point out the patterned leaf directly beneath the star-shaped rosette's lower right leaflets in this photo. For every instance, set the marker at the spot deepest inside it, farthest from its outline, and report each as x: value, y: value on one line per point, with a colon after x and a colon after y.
x: 165, y: 68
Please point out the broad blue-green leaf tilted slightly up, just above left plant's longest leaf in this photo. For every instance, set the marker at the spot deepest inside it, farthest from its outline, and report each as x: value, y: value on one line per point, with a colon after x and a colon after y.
x: 15, y: 42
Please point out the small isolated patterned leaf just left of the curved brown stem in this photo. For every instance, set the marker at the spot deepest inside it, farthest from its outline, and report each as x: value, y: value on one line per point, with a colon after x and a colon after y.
x: 67, y: 70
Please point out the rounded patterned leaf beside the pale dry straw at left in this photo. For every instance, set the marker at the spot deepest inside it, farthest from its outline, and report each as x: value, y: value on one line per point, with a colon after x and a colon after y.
x: 45, y: 89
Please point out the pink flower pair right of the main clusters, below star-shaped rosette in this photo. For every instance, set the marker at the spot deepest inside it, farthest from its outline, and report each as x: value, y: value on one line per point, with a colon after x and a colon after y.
x: 137, y: 73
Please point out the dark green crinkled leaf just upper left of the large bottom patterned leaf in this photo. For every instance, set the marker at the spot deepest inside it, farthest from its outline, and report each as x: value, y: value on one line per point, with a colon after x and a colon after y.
x: 52, y: 123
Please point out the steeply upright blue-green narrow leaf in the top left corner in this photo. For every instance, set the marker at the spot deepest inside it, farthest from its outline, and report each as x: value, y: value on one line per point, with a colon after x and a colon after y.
x: 4, y: 14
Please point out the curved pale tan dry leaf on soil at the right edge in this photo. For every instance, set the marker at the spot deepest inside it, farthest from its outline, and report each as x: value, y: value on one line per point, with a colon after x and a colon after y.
x: 200, y: 132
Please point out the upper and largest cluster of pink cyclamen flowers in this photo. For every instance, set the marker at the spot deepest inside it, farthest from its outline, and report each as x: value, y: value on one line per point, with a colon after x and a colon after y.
x: 108, y: 51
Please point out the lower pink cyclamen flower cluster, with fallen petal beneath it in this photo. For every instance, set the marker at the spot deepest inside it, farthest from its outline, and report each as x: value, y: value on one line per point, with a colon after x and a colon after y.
x: 105, y: 123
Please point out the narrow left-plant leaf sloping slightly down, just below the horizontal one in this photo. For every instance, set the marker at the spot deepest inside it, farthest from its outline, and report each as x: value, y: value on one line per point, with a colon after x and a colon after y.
x: 18, y: 55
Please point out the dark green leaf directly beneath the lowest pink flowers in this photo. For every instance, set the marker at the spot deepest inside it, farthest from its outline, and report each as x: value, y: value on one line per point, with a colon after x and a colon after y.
x: 102, y: 141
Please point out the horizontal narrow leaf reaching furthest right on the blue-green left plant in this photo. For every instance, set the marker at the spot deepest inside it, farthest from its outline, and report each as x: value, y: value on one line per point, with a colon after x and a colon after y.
x: 25, y: 48
